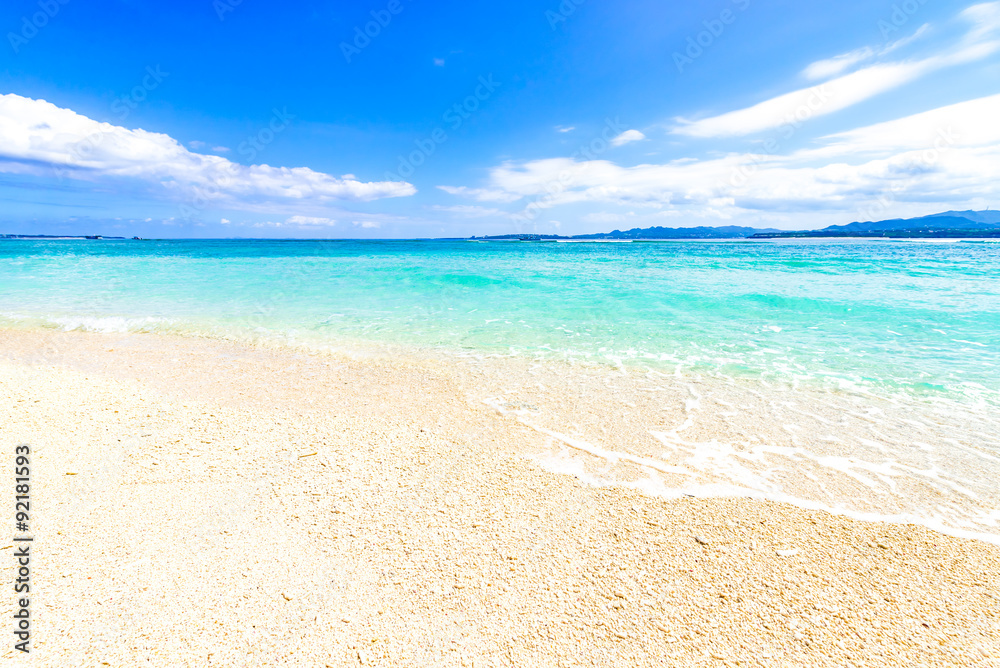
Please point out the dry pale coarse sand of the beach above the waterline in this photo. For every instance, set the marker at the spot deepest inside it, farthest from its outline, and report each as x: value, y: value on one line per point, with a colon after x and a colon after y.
x: 202, y: 503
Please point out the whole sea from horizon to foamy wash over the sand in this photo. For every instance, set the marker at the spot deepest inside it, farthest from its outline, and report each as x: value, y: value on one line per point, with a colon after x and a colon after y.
x: 859, y: 376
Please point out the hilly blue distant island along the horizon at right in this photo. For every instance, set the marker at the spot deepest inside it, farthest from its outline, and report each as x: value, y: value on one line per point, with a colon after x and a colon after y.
x: 947, y: 225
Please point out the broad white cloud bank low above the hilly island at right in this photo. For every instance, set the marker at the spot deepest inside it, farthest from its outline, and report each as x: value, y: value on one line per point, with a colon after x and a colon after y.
x: 946, y: 155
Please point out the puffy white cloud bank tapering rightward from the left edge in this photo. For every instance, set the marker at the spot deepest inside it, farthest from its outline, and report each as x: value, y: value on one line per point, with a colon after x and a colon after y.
x: 37, y: 137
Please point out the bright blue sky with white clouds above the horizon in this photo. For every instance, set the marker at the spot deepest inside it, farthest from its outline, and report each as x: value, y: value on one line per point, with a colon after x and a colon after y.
x: 411, y: 118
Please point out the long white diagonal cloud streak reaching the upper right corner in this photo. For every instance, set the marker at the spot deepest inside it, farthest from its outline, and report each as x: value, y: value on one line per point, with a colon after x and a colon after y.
x: 850, y: 89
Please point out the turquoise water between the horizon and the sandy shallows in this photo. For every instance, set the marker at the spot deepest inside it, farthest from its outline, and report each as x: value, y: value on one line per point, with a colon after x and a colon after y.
x: 912, y: 317
